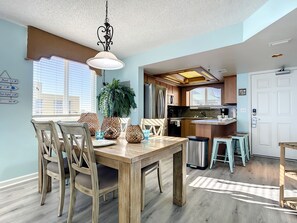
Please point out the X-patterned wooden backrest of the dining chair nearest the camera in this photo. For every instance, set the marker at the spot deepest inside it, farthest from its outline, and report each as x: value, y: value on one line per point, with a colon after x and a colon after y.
x: 80, y: 152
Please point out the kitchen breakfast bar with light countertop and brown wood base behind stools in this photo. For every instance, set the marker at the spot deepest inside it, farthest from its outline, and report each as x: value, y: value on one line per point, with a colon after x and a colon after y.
x: 214, y: 128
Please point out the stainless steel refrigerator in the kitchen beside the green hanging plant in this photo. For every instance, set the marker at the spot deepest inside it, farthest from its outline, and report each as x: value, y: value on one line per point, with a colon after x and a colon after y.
x: 155, y: 104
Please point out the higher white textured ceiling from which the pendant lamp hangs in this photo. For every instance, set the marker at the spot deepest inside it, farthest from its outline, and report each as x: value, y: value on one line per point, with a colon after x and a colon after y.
x: 139, y: 24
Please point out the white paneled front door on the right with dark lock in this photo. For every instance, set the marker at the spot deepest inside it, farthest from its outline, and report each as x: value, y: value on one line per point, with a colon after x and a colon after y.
x: 274, y: 113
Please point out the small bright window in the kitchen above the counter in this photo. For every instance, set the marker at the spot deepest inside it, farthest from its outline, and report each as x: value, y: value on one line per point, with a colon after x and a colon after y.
x: 205, y: 96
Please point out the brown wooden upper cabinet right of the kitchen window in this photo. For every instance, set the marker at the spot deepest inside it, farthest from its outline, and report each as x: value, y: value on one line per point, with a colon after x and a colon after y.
x: 230, y: 90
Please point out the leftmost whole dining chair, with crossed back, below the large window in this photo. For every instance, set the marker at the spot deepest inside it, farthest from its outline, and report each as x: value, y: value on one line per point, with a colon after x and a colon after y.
x: 53, y: 163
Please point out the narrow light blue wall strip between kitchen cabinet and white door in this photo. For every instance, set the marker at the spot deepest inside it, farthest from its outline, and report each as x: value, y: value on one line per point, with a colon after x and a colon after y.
x: 242, y: 103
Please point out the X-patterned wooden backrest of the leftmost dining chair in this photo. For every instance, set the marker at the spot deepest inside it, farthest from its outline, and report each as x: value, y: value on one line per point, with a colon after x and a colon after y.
x: 49, y: 144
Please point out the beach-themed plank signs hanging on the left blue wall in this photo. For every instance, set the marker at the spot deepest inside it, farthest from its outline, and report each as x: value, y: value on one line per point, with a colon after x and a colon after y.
x: 8, y: 88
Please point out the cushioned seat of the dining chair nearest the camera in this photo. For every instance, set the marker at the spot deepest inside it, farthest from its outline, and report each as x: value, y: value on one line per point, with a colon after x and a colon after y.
x: 108, y: 177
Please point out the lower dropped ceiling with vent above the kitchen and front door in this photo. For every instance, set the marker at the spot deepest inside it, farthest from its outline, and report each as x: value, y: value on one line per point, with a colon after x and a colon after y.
x: 250, y: 56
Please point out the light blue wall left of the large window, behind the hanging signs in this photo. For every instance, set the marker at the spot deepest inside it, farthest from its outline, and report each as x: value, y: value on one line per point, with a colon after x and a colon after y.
x: 17, y: 143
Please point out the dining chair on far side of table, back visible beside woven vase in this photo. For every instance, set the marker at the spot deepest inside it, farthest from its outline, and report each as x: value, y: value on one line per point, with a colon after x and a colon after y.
x: 157, y: 128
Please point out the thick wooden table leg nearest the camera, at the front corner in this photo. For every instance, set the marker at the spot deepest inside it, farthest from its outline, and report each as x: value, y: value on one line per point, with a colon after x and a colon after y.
x: 129, y: 192
